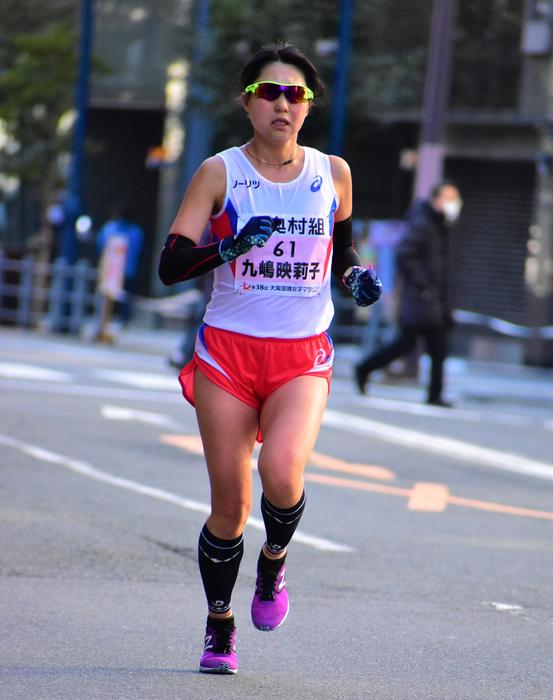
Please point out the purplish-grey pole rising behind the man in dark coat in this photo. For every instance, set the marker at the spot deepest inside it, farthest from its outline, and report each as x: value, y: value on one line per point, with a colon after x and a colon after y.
x: 436, y: 95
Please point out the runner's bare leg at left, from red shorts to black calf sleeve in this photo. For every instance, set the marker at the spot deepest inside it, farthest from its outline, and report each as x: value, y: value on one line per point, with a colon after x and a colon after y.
x: 228, y: 428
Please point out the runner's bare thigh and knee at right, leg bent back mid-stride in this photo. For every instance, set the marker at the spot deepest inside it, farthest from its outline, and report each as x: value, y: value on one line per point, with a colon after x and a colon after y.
x: 290, y: 422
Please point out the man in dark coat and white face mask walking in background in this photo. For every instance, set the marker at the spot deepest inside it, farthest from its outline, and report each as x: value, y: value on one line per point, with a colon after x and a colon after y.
x: 424, y: 305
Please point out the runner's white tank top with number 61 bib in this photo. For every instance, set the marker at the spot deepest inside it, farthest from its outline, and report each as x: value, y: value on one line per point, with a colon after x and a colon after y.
x: 283, y: 289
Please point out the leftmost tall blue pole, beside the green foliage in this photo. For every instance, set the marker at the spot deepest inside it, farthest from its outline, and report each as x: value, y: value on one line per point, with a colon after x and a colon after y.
x: 73, y: 201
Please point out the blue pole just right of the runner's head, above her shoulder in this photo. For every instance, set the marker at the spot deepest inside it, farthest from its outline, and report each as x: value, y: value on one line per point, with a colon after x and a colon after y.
x: 340, y: 95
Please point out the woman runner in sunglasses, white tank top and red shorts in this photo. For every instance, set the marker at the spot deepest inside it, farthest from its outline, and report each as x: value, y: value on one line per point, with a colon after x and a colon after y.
x: 280, y: 216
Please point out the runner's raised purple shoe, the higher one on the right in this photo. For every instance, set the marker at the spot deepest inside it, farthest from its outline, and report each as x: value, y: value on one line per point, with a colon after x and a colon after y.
x: 270, y: 604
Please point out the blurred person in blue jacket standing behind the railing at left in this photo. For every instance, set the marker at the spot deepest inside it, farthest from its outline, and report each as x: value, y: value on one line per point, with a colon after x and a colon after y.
x: 122, y: 225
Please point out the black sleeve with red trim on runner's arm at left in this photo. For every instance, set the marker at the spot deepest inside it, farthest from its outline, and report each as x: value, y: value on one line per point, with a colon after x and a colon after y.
x: 181, y: 259
